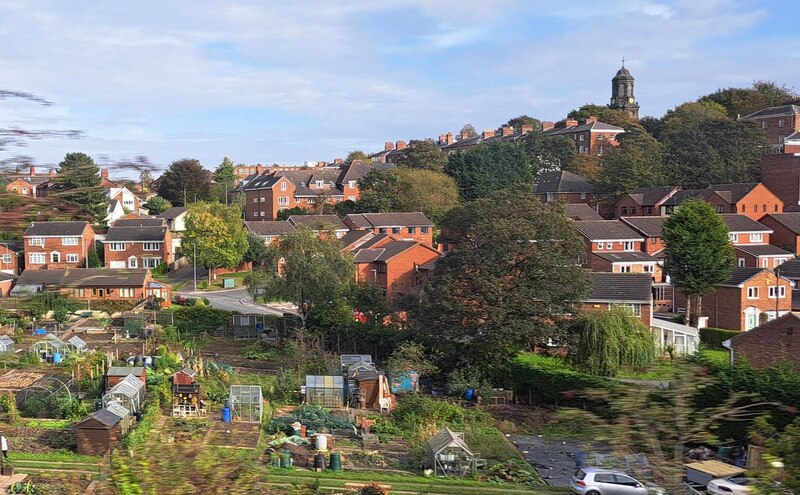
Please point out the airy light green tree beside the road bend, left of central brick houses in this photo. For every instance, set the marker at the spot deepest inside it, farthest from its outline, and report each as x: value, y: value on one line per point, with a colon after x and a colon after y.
x: 313, y: 271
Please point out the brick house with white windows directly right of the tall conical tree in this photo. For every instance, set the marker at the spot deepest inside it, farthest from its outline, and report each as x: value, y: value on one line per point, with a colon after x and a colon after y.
x: 750, y: 239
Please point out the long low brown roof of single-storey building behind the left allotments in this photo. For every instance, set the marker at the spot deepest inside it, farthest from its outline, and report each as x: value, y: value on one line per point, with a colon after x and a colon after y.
x: 84, y: 277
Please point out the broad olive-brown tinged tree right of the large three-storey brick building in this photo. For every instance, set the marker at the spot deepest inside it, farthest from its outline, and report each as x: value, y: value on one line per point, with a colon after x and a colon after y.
x: 405, y: 189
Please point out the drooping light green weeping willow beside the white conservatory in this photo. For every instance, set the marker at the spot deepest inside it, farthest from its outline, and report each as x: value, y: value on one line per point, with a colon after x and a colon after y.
x: 612, y: 339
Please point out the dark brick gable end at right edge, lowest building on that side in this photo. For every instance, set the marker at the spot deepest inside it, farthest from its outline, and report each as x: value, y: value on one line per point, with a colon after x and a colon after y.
x: 776, y: 340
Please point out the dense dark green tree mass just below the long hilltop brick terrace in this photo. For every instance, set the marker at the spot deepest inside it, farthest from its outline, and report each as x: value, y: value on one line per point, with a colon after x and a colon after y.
x: 487, y: 168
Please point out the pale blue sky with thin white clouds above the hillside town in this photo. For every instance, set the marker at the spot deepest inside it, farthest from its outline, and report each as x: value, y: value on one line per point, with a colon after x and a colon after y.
x: 307, y: 80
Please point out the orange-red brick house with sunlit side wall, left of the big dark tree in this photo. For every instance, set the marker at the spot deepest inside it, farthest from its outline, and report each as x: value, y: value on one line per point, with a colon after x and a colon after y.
x: 397, y: 266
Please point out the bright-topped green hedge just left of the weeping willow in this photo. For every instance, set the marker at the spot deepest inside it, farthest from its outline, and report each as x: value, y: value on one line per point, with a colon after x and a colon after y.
x: 548, y: 378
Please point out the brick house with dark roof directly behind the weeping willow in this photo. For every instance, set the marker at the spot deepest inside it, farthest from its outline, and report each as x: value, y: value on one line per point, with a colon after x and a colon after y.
x: 630, y: 290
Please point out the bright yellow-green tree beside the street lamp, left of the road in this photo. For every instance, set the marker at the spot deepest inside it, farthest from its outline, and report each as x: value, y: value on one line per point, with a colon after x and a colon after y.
x: 216, y: 235
